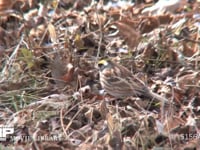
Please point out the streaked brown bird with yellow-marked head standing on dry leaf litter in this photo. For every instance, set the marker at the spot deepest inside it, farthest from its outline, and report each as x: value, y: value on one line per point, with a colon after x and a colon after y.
x: 119, y: 82
